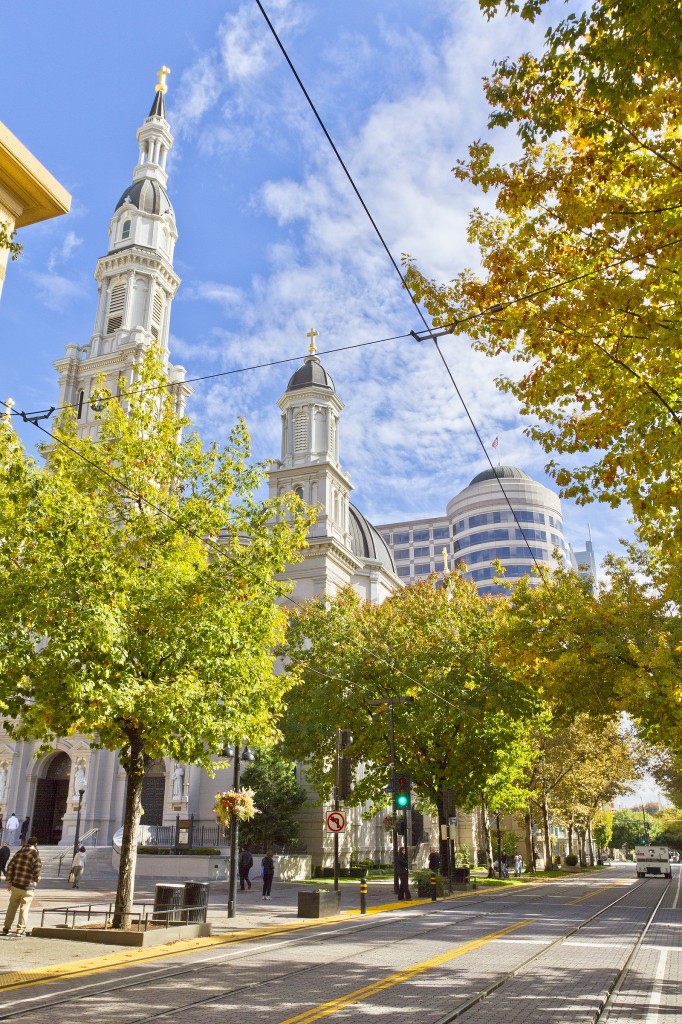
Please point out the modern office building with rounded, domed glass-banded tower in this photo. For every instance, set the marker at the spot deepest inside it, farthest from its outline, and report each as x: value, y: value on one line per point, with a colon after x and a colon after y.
x: 503, y: 516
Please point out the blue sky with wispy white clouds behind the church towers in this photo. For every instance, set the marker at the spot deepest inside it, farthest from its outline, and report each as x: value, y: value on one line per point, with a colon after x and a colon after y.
x: 272, y: 240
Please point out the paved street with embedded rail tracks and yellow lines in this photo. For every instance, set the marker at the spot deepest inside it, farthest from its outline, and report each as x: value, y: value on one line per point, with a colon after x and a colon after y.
x: 549, y: 954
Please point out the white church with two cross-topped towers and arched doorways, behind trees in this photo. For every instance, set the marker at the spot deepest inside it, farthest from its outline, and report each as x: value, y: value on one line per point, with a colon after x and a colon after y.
x: 137, y: 286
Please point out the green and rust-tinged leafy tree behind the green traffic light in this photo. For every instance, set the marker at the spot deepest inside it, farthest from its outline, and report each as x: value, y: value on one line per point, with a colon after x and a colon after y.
x: 466, y: 723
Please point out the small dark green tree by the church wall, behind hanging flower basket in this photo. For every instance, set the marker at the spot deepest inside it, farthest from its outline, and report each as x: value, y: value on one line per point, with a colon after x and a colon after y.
x: 278, y: 797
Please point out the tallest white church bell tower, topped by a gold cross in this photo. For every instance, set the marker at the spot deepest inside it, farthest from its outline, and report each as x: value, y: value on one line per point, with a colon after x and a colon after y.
x: 137, y: 279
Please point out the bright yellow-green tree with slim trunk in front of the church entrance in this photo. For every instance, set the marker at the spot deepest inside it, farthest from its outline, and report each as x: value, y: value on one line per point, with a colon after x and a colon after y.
x: 139, y: 592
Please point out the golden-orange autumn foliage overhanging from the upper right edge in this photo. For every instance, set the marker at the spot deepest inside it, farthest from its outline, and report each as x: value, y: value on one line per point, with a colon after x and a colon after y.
x: 581, y: 254
